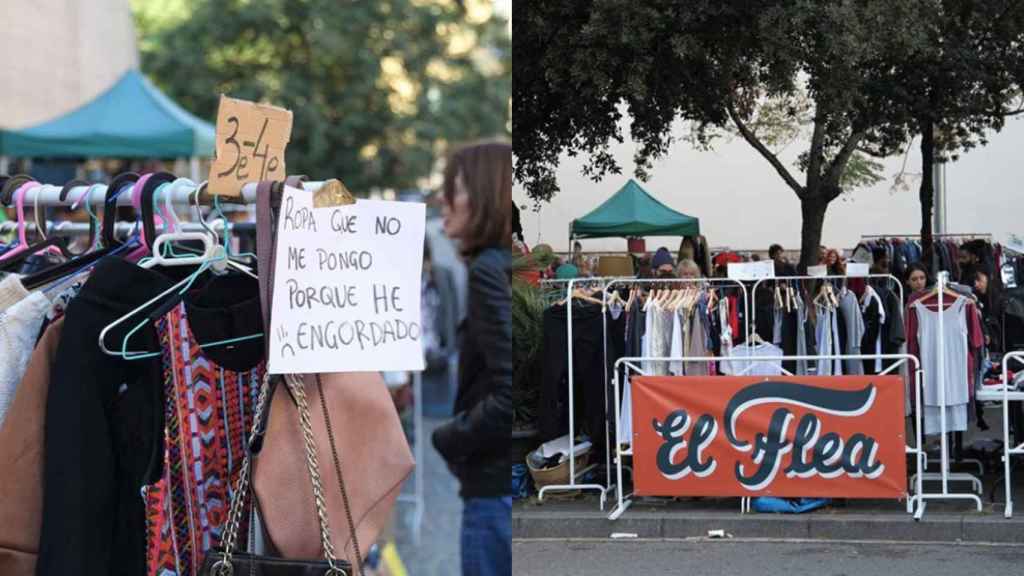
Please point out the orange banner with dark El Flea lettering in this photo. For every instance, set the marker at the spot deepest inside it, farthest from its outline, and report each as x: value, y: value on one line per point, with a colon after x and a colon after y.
x: 840, y: 437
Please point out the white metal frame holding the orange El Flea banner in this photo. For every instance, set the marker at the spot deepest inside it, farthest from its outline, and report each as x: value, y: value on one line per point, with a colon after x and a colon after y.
x: 634, y: 364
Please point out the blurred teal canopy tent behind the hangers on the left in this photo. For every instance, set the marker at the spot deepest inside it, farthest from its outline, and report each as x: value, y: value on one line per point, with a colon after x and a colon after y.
x: 133, y: 119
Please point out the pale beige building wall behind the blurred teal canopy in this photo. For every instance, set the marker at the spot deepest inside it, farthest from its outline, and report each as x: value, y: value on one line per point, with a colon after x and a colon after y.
x: 59, y: 55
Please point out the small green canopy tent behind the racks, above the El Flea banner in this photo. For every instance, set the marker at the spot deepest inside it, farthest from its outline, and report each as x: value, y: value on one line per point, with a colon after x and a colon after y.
x: 633, y: 213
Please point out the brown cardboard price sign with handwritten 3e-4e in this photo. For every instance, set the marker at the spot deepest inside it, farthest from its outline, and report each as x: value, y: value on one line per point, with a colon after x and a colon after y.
x: 250, y: 146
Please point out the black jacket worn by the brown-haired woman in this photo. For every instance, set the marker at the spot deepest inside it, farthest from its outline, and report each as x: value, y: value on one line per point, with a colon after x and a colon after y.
x: 476, y: 442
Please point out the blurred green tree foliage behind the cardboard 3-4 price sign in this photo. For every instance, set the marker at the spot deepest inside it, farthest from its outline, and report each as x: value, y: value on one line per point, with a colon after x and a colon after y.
x: 379, y: 91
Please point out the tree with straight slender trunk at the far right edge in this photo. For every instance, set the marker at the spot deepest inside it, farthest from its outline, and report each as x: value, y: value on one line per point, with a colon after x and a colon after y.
x: 960, y: 86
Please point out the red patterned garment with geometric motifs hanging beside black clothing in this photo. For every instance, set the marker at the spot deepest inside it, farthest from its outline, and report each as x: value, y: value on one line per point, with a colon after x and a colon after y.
x: 208, y: 414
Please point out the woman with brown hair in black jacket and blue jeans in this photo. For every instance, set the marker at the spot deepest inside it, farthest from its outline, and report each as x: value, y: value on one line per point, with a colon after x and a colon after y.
x: 478, y: 215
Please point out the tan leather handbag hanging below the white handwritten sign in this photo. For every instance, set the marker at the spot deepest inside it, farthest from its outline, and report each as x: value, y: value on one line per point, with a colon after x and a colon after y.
x: 357, y: 432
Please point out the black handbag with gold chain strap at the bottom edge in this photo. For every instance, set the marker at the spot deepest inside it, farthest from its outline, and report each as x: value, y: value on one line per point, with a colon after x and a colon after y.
x: 229, y: 562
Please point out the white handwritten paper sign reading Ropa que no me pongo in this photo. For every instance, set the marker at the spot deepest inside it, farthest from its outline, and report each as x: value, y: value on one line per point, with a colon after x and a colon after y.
x: 347, y: 286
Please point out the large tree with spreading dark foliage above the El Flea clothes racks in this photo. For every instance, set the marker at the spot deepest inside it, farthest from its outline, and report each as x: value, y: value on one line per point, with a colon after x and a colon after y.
x: 712, y: 64
